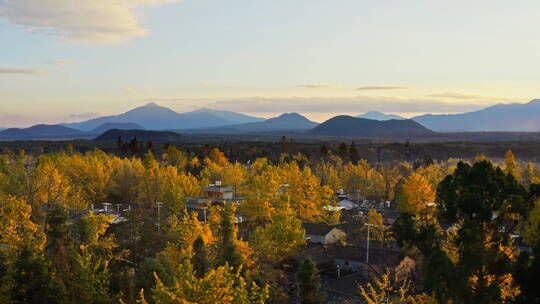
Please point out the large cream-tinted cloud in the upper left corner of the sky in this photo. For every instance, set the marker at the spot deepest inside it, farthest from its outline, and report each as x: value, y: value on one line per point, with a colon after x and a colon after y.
x: 89, y: 21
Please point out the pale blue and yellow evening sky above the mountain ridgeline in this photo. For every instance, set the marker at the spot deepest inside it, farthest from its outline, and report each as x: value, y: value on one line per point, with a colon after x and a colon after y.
x: 71, y: 60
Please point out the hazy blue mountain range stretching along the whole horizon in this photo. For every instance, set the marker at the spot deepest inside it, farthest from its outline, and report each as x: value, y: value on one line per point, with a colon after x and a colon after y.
x: 152, y: 117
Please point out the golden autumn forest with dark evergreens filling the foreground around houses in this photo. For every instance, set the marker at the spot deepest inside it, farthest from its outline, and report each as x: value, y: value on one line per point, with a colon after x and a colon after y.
x: 117, y: 226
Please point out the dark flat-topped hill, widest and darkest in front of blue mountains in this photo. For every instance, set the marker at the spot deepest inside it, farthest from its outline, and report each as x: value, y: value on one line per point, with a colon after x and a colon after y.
x: 360, y: 127
